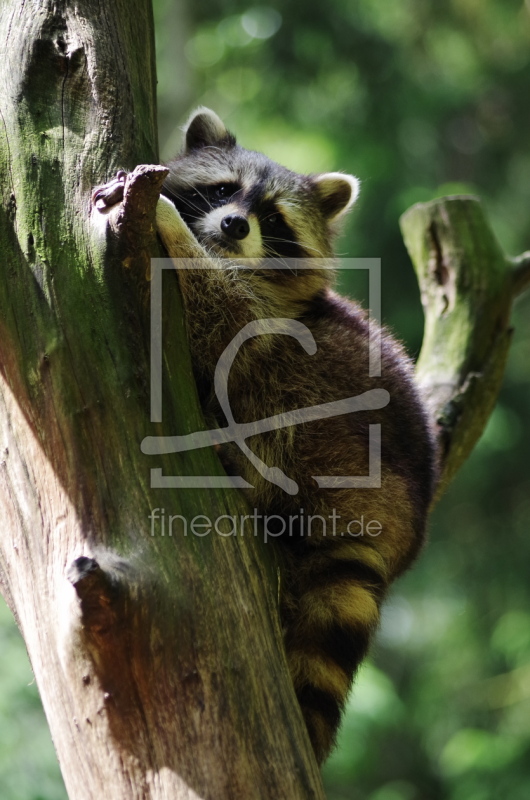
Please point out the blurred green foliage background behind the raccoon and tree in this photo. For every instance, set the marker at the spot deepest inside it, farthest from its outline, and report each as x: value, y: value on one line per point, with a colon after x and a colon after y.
x: 418, y: 98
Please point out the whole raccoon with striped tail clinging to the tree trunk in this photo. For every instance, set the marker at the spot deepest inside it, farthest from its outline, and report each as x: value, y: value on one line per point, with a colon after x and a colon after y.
x: 340, y: 547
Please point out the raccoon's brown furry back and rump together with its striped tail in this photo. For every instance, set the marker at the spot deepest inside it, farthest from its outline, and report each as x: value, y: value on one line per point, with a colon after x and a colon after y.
x: 342, y: 547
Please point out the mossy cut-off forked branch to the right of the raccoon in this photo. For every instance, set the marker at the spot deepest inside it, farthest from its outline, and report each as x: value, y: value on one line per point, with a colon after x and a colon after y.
x: 467, y: 288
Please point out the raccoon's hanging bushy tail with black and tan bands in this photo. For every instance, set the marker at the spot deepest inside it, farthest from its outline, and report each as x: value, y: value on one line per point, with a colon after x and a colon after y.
x: 330, y: 619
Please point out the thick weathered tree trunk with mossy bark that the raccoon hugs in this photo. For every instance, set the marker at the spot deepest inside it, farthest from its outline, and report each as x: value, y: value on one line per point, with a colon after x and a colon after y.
x: 159, y: 660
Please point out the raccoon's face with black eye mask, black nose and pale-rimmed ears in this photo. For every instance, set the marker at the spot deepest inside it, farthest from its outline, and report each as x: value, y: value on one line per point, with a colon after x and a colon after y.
x: 240, y: 204
